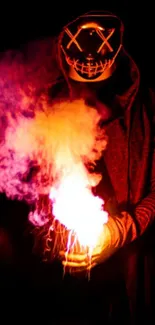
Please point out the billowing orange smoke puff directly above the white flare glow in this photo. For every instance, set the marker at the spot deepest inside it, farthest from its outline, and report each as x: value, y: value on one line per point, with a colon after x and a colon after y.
x: 65, y: 133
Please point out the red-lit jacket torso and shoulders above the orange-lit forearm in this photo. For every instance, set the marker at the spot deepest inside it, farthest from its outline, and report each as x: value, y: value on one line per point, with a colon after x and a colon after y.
x: 128, y: 118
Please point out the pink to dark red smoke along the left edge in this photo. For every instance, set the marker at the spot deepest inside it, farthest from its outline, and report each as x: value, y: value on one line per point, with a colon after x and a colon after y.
x: 25, y: 77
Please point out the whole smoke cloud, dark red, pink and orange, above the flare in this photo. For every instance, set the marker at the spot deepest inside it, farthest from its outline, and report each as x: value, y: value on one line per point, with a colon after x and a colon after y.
x: 41, y: 142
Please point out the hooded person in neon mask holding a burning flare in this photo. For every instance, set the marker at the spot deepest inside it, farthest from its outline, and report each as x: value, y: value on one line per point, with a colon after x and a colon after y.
x: 95, y: 66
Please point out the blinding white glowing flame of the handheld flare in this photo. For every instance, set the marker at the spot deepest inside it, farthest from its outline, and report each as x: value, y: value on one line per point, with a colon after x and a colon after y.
x: 79, y: 210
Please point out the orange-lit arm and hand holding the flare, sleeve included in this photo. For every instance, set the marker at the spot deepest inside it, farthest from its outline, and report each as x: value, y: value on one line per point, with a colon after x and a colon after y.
x: 124, y: 228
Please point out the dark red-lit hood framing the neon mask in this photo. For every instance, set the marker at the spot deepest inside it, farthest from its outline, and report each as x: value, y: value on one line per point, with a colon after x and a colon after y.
x: 123, y: 84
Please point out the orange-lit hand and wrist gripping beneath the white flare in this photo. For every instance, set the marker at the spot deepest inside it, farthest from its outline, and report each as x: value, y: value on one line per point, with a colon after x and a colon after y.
x: 114, y: 235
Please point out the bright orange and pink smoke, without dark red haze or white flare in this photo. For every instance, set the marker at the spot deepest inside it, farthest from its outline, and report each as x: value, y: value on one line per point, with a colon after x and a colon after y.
x: 38, y: 150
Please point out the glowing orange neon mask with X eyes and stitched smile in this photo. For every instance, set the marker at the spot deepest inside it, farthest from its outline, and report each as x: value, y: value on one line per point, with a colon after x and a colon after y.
x: 91, y: 43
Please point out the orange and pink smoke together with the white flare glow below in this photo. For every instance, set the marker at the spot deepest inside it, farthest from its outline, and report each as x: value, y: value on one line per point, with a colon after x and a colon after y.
x: 61, y: 141
